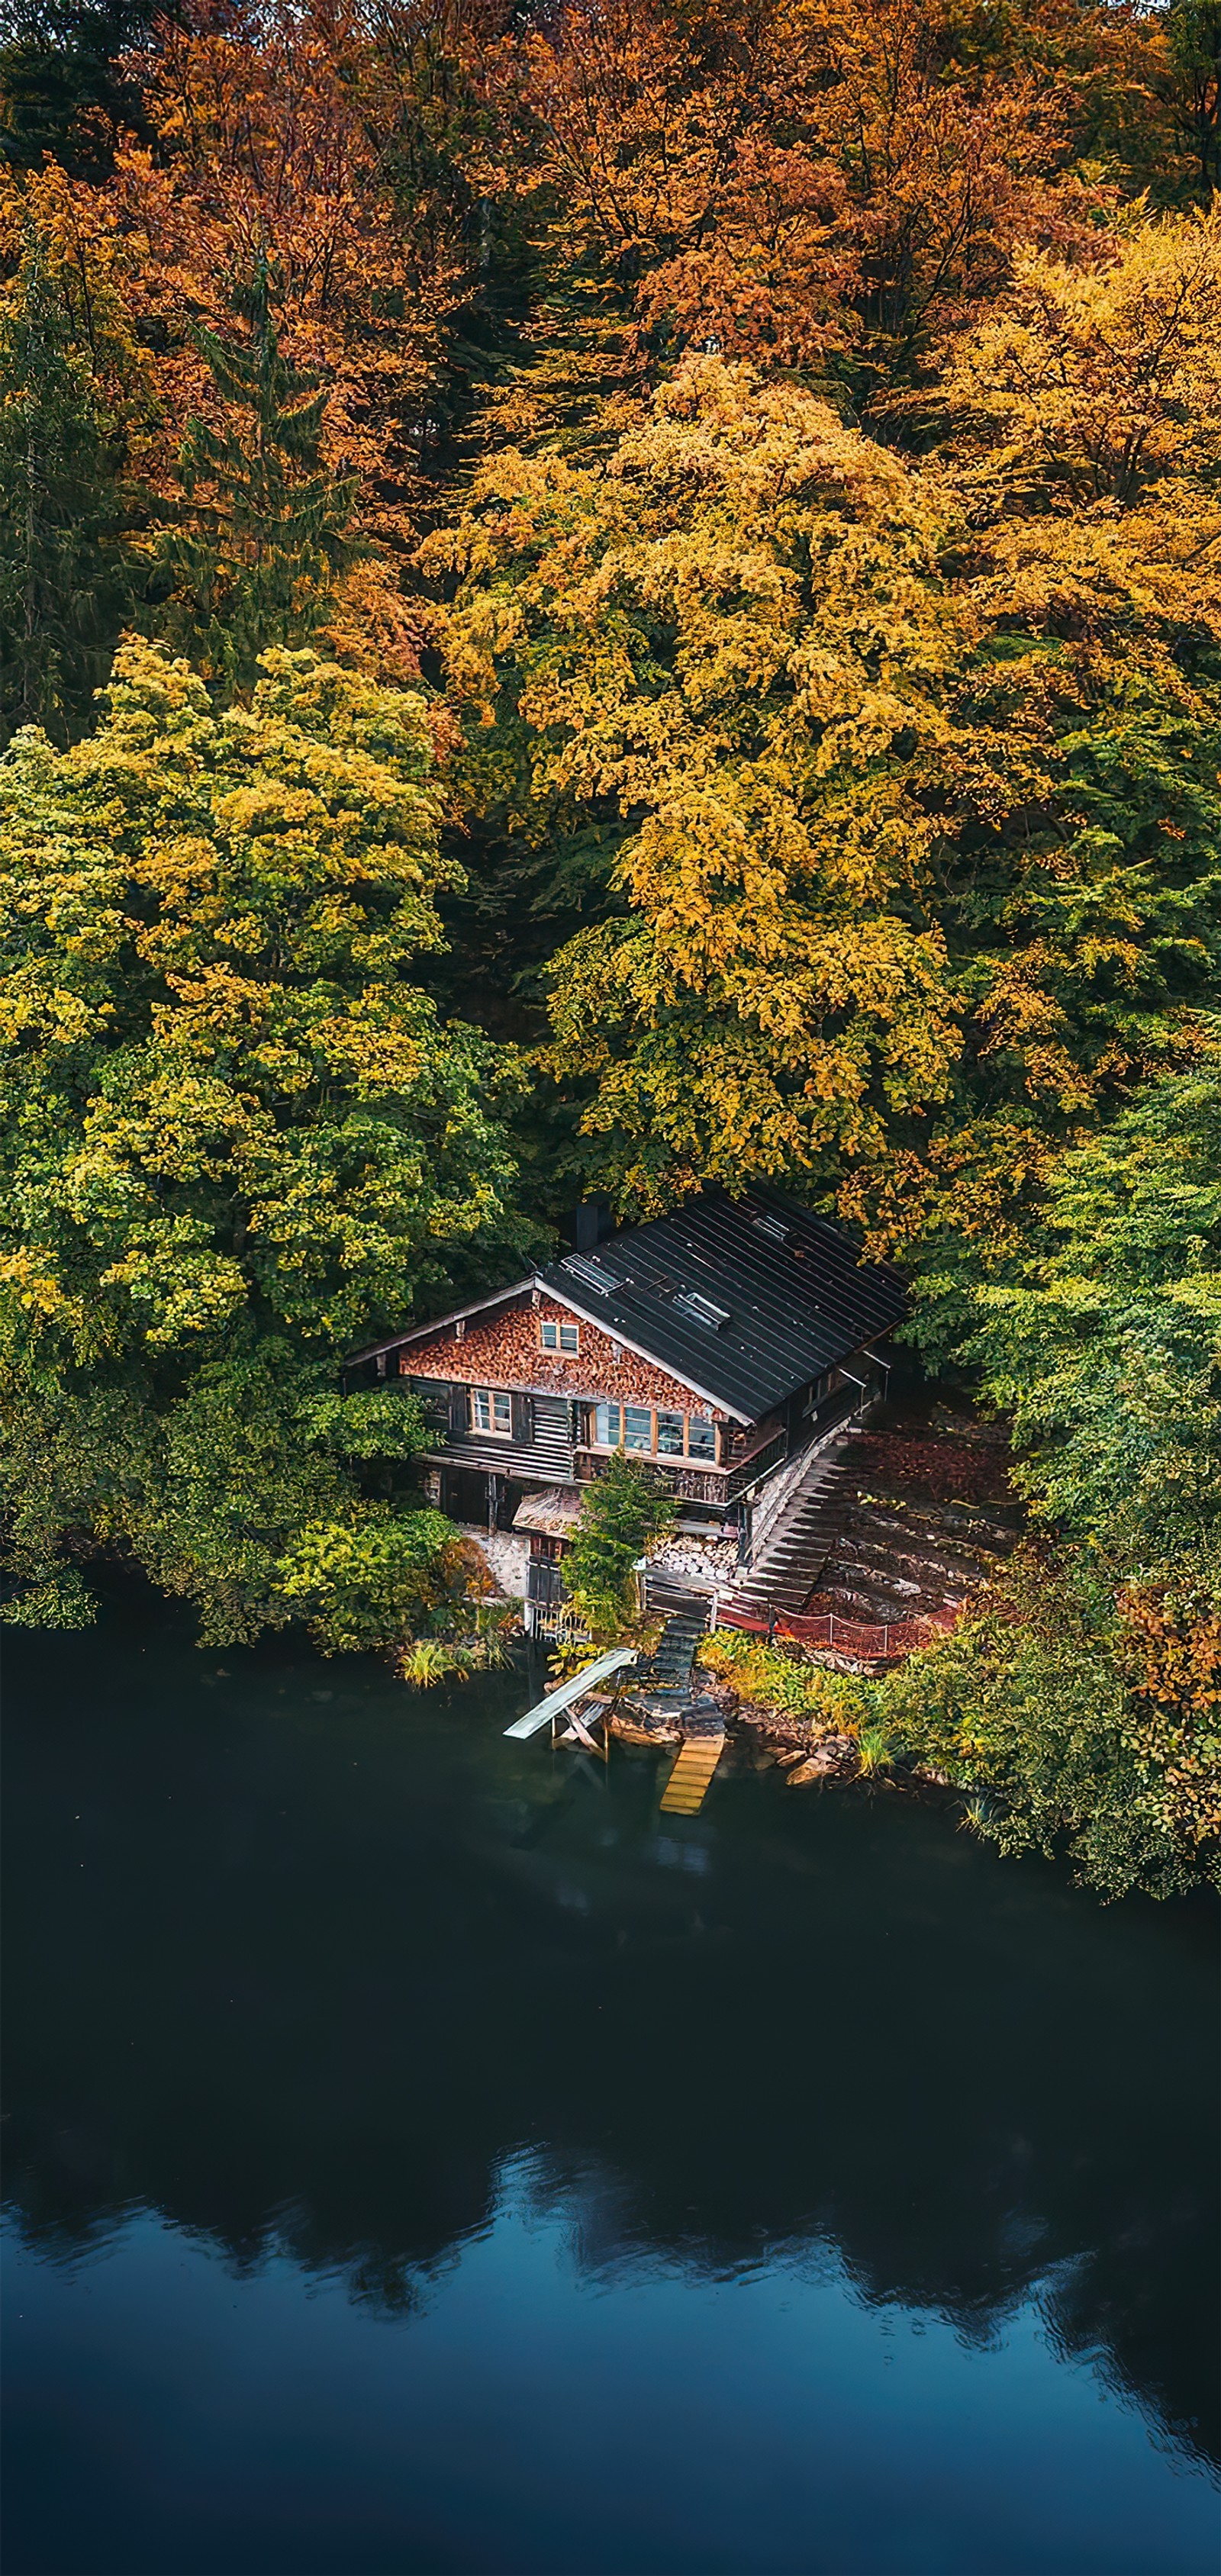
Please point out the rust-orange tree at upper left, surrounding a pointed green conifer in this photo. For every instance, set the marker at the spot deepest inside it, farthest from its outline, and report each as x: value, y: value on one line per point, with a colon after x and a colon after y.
x: 267, y: 158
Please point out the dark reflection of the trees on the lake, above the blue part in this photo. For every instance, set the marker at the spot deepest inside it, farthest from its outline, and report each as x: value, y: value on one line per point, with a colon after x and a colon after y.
x: 303, y: 1962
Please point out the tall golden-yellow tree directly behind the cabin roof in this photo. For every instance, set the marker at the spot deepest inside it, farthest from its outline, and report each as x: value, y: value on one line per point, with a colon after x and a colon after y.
x: 735, y: 650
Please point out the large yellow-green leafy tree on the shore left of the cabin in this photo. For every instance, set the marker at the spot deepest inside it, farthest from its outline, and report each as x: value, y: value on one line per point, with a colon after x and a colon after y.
x: 236, y: 1142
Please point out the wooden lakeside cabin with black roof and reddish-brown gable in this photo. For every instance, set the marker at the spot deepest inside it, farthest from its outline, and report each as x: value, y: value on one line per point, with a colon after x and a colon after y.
x: 715, y: 1343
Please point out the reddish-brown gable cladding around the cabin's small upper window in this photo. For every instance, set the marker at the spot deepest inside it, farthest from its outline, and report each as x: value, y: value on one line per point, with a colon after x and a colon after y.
x: 504, y: 1351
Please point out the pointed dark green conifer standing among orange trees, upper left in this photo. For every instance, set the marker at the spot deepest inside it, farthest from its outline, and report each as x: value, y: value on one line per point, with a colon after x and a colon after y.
x: 264, y: 527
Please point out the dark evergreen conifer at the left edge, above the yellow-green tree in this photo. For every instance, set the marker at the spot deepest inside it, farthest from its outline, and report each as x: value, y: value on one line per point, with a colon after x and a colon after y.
x: 63, y: 571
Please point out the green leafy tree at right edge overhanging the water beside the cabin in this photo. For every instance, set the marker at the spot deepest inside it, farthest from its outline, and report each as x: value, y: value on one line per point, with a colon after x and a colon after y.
x: 1086, y: 1694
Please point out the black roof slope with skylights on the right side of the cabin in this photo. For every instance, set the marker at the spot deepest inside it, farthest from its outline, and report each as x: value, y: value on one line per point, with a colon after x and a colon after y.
x: 790, y: 1289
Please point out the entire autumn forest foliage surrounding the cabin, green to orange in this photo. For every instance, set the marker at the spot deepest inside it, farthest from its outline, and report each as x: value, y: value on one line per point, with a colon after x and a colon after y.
x: 686, y: 540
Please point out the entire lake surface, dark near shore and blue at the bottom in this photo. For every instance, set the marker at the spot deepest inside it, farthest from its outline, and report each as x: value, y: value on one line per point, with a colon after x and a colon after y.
x: 429, y: 2157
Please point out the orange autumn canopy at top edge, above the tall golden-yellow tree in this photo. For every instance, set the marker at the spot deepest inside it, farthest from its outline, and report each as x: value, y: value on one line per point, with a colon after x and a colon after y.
x: 808, y: 184
